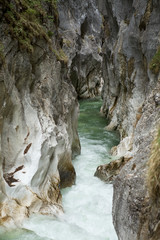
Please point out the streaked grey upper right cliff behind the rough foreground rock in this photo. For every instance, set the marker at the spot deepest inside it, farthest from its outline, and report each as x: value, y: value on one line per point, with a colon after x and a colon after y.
x: 131, y: 38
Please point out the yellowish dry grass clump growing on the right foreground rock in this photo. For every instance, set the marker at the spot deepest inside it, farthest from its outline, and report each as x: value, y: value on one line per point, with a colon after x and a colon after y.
x: 153, y: 174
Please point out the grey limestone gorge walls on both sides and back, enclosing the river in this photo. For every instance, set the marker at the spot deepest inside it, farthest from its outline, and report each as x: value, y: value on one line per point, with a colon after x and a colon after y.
x: 41, y: 73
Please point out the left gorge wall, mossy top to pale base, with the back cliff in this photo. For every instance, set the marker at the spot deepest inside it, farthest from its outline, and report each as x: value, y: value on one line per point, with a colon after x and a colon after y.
x: 41, y: 66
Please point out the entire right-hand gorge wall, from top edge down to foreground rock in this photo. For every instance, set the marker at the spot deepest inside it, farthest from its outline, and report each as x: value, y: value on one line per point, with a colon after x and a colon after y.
x: 131, y: 39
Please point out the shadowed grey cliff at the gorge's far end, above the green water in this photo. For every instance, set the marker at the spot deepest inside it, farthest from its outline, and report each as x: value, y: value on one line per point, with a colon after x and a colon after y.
x: 80, y: 27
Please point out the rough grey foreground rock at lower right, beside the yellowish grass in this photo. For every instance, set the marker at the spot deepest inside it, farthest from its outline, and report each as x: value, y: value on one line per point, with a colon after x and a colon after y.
x: 134, y: 217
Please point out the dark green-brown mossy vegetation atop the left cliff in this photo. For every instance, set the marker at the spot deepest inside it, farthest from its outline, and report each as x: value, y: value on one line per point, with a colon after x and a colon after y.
x: 25, y: 20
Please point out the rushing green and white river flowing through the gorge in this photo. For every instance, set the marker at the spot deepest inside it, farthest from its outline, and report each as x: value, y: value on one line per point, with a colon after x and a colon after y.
x: 88, y: 204
